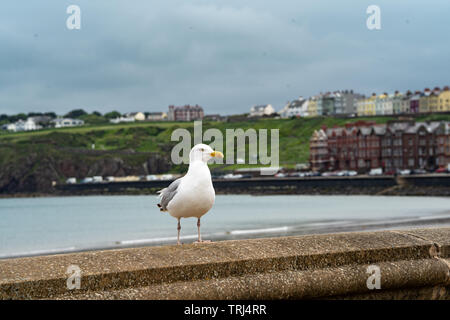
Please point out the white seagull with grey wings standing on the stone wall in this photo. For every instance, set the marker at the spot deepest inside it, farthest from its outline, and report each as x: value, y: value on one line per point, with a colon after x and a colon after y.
x: 192, y: 195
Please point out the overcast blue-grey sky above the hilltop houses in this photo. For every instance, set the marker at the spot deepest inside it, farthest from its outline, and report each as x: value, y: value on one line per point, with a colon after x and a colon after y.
x: 223, y: 55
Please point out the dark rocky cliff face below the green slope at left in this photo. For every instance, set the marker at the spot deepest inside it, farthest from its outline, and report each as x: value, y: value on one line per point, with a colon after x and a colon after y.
x: 34, y: 171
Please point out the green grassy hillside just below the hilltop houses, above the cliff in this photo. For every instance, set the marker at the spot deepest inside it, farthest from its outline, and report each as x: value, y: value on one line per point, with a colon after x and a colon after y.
x: 155, y: 136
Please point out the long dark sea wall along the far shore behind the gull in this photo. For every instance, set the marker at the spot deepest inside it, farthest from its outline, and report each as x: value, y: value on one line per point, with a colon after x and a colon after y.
x: 429, y: 185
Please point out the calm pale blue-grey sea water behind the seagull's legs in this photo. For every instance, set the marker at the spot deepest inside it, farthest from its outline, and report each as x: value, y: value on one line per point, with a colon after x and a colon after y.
x: 31, y: 226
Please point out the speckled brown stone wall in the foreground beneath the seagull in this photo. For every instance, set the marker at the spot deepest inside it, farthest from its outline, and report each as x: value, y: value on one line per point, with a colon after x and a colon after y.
x: 406, y: 264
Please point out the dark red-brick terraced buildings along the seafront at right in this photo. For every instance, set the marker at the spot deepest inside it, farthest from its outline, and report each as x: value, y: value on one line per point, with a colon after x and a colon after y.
x: 393, y: 146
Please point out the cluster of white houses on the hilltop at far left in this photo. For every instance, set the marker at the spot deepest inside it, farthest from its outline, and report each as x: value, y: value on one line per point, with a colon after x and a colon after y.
x: 39, y: 122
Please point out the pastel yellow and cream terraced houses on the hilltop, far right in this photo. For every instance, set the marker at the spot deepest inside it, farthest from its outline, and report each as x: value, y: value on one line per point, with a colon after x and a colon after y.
x: 426, y: 101
